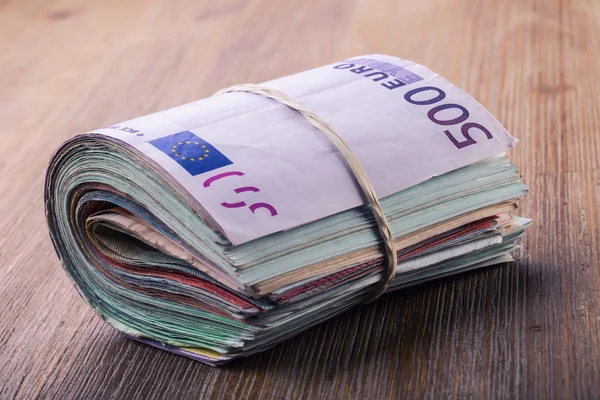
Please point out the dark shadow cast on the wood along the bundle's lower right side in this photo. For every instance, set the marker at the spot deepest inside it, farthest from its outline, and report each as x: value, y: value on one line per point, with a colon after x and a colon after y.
x: 439, y: 322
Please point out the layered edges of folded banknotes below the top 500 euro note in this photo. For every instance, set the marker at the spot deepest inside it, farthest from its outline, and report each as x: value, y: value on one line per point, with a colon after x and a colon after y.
x: 154, y: 265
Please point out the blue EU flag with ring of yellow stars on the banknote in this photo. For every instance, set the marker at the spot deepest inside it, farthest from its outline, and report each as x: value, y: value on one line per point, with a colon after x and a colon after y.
x: 195, y: 155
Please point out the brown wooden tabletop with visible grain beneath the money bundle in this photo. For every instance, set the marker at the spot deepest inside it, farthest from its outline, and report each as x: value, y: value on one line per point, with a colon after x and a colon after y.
x: 528, y: 329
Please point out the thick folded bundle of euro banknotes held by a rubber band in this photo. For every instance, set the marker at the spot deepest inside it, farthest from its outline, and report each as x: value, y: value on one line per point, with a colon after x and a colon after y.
x: 221, y: 227
